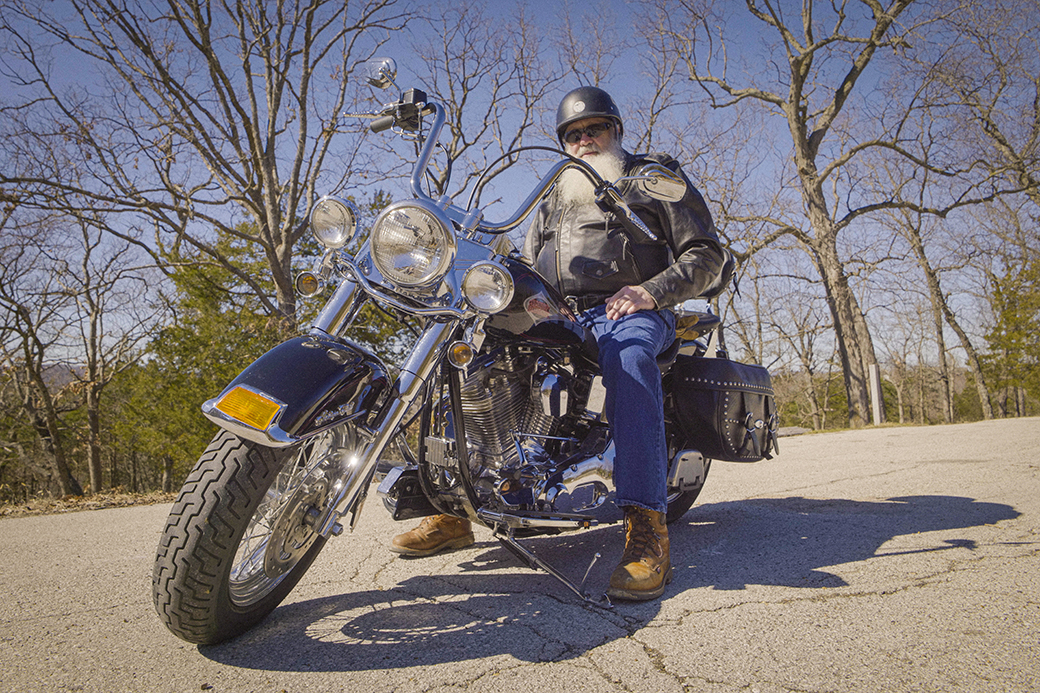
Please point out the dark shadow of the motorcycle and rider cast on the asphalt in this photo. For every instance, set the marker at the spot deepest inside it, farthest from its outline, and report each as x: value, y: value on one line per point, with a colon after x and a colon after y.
x: 496, y: 606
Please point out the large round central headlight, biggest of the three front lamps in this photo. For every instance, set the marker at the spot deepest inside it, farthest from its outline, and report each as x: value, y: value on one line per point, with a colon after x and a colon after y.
x: 412, y: 244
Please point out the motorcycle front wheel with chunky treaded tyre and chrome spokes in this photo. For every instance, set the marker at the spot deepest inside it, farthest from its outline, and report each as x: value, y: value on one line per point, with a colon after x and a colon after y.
x: 243, y: 532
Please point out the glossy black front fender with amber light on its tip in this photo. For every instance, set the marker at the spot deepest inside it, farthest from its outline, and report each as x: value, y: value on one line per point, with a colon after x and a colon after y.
x: 299, y: 389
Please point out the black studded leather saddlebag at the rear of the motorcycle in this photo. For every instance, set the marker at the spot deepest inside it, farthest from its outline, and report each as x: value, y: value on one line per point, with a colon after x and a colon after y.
x: 725, y: 408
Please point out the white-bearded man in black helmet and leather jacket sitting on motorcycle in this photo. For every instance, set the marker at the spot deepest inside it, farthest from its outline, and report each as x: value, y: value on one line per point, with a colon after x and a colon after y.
x: 622, y: 291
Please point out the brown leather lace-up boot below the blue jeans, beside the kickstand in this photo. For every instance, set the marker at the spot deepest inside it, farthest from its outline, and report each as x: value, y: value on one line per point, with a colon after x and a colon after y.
x: 645, y: 567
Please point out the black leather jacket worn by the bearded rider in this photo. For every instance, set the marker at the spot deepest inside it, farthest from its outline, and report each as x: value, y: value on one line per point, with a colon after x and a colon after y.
x: 586, y: 252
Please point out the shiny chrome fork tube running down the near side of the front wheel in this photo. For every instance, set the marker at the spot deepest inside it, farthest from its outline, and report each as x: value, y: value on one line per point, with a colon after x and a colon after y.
x: 406, y: 390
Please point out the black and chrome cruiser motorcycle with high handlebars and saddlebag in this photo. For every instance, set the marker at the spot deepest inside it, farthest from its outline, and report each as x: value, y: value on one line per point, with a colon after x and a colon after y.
x: 503, y: 383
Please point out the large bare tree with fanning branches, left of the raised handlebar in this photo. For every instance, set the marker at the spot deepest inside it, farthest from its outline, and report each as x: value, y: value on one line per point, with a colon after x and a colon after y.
x: 198, y: 117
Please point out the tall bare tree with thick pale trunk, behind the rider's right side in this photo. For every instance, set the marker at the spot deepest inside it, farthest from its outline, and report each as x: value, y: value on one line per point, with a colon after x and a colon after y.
x: 810, y: 78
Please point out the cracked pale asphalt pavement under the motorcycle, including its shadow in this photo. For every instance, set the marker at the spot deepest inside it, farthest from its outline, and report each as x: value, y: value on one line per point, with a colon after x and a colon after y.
x: 896, y: 559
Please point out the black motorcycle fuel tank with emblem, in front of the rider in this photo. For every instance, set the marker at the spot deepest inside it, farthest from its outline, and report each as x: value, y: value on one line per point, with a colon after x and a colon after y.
x: 538, y: 314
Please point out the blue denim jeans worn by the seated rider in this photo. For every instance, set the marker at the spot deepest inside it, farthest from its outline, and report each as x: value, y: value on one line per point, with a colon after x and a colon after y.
x: 635, y: 402
